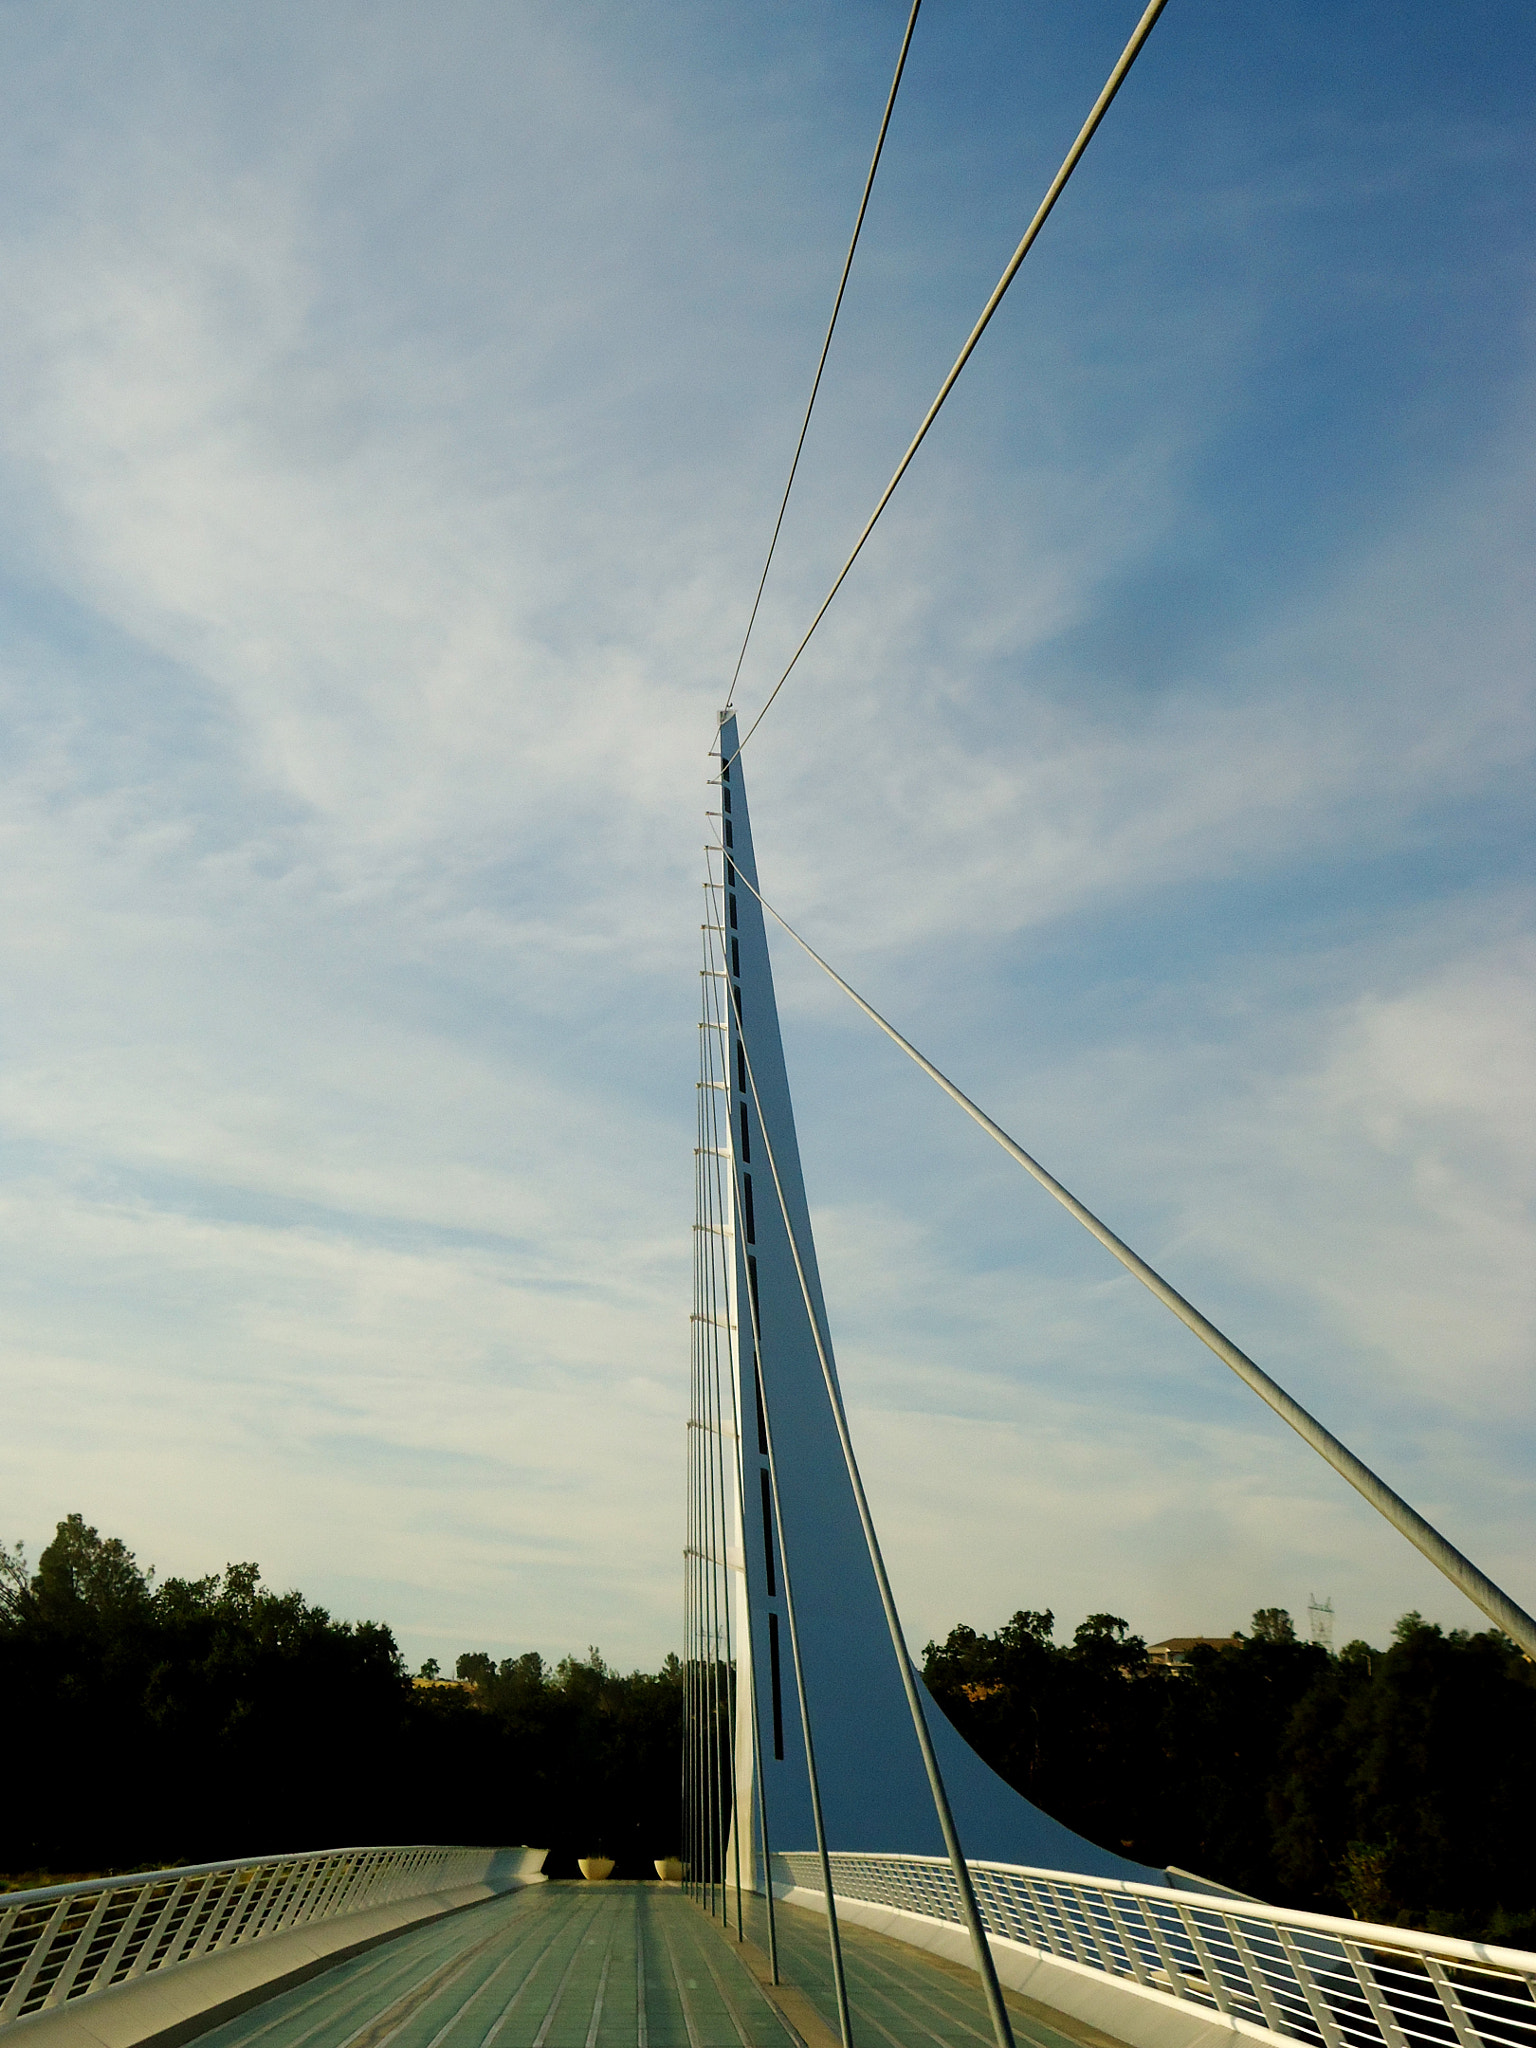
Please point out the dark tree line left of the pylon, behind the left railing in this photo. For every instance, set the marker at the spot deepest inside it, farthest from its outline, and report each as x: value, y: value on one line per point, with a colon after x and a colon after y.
x: 196, y: 1719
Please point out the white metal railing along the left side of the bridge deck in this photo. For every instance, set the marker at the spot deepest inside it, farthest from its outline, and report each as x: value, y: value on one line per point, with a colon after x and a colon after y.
x: 71, y: 1940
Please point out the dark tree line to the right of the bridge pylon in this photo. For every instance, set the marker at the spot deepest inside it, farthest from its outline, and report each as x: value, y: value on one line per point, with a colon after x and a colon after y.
x: 1392, y: 1785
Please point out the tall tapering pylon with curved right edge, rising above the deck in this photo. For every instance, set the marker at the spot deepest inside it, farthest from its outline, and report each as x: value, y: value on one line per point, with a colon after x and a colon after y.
x: 787, y: 1527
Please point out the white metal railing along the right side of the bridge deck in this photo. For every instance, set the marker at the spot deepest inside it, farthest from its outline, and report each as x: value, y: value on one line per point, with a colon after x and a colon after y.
x: 1334, y: 1983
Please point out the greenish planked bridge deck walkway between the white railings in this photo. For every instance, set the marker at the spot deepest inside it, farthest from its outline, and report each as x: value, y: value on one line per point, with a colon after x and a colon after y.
x: 626, y: 1967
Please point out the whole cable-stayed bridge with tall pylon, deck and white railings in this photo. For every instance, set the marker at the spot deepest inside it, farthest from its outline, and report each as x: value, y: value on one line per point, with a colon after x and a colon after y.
x: 855, y: 1873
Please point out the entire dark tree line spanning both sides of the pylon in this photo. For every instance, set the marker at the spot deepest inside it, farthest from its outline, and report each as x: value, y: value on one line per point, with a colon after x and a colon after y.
x: 194, y: 1719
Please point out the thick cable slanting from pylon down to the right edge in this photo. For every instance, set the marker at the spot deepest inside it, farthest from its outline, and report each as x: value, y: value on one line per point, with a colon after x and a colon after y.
x: 1461, y: 1572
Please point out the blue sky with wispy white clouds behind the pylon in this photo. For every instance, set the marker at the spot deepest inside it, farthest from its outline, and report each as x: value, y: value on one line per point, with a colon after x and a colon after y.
x: 392, y: 415
